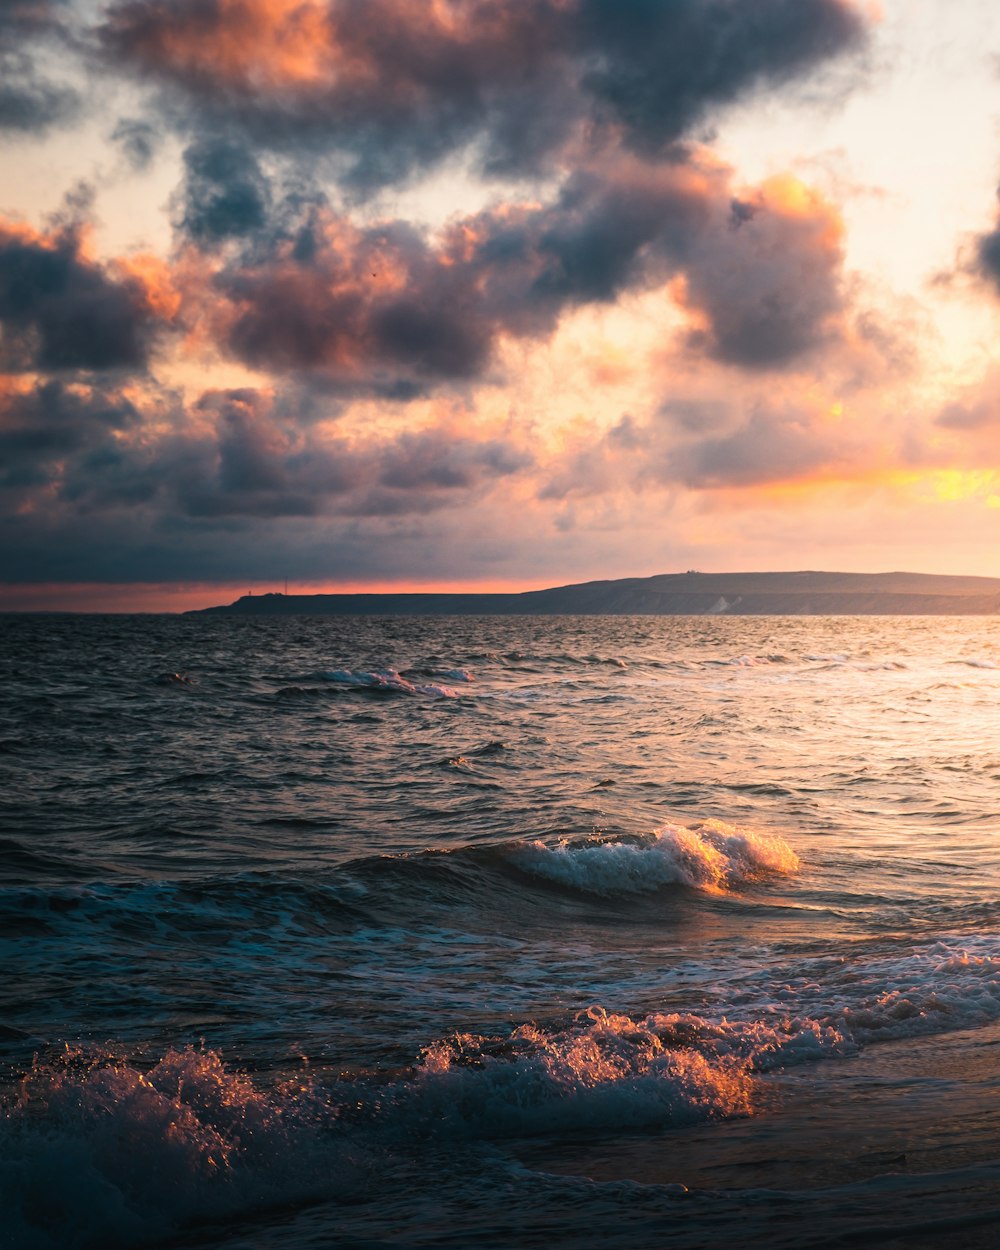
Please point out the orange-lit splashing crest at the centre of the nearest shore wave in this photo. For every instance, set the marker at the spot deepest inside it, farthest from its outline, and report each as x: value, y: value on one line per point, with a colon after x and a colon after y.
x: 611, y: 1072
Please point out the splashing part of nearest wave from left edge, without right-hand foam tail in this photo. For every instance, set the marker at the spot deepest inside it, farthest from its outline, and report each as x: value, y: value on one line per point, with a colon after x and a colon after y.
x: 98, y: 1152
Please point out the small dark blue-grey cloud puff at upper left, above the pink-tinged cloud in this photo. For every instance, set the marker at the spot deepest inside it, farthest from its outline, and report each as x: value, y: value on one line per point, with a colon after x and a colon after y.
x: 226, y: 193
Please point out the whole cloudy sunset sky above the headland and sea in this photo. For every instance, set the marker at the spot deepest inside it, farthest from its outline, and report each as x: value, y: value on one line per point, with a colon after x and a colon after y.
x: 492, y: 296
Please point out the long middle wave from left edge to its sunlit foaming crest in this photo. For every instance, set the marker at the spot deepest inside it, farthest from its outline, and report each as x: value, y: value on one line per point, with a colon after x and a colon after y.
x: 712, y: 857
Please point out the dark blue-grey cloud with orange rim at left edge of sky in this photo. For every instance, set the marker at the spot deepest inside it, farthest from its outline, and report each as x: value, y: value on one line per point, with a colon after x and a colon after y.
x: 61, y: 311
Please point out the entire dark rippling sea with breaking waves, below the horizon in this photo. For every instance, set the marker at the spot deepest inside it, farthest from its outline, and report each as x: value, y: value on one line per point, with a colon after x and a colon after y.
x: 499, y: 933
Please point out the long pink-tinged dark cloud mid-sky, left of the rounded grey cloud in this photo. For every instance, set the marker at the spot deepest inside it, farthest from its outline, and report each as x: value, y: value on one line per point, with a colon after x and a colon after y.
x: 386, y: 306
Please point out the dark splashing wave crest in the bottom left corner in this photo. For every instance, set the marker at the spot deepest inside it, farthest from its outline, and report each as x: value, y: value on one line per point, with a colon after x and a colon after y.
x: 97, y: 1154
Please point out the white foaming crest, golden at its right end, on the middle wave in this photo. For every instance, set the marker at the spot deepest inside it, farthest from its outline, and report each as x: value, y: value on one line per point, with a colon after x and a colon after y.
x: 713, y: 856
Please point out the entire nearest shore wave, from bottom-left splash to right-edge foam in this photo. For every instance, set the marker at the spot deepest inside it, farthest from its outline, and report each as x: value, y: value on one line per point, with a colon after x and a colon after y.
x: 99, y: 1152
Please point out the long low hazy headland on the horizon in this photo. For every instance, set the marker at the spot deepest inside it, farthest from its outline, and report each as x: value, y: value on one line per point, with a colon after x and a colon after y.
x: 671, y: 594
